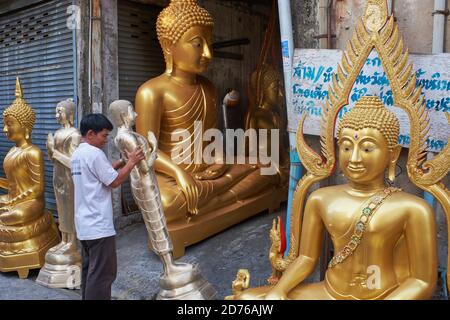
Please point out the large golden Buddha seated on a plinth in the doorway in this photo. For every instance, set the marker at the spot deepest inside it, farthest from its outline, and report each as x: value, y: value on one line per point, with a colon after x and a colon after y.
x: 199, y: 199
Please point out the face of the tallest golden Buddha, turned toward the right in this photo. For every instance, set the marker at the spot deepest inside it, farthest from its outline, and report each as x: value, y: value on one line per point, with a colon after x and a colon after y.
x: 192, y: 53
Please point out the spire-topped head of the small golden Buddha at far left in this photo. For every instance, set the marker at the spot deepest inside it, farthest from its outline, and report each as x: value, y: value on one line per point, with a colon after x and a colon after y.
x: 19, y: 118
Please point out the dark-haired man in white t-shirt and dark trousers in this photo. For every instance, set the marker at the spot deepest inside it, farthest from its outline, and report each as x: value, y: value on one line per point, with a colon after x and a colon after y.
x: 94, y: 177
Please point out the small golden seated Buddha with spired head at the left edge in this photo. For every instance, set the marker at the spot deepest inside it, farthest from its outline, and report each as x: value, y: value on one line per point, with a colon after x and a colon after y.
x: 27, y: 229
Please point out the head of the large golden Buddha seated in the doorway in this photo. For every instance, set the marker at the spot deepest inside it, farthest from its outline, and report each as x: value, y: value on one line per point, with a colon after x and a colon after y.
x: 185, y: 32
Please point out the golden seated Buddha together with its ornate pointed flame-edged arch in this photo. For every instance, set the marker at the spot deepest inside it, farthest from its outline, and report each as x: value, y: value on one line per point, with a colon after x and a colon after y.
x: 384, y: 239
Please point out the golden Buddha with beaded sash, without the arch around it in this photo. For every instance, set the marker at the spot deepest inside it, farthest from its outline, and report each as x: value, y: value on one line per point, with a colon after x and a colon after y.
x: 384, y: 239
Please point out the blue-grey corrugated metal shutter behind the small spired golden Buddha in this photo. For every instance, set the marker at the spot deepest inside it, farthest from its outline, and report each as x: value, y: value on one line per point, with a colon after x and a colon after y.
x: 37, y: 46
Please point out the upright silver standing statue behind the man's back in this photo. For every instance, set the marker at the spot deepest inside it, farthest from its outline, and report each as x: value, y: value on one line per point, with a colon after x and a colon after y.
x: 62, y: 267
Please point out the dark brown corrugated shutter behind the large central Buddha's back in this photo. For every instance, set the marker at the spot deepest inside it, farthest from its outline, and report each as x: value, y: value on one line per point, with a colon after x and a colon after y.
x: 140, y: 58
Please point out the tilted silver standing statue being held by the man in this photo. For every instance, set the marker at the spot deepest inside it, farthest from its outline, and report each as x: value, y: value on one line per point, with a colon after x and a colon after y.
x: 180, y: 280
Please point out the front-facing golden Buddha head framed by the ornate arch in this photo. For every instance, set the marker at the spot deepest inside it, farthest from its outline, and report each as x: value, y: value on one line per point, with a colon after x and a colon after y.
x: 367, y: 138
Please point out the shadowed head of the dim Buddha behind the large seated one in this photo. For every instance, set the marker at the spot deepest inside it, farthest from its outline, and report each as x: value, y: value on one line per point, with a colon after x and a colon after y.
x: 266, y: 83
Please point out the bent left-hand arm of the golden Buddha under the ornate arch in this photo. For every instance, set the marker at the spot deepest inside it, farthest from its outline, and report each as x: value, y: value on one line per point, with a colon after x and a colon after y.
x: 310, y: 247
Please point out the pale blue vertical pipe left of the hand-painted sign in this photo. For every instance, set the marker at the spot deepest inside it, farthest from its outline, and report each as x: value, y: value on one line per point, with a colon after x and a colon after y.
x: 287, y: 48
